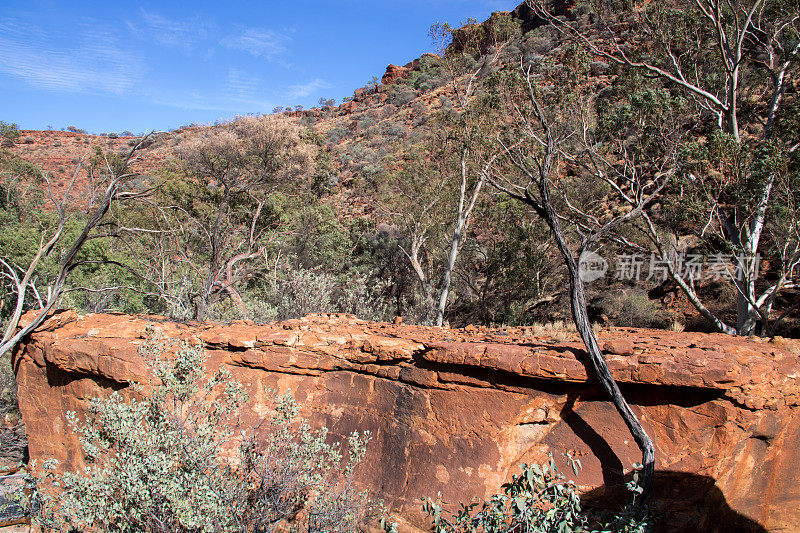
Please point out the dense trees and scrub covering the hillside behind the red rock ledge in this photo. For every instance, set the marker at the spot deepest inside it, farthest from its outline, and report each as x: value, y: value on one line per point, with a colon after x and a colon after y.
x: 384, y: 205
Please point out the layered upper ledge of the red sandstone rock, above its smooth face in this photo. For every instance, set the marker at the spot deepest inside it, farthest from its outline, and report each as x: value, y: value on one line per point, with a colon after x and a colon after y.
x: 754, y: 373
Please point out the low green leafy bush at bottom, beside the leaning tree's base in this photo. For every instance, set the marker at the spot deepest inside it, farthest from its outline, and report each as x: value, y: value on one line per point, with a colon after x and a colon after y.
x: 539, y: 500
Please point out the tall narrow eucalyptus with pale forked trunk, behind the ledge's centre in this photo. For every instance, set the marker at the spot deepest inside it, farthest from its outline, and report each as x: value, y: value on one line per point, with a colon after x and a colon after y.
x: 459, y: 151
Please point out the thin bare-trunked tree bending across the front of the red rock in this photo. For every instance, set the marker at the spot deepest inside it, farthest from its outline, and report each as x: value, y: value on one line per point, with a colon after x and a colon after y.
x: 548, y: 112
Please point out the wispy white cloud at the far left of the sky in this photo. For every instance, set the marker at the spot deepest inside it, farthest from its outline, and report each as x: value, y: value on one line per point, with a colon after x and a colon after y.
x: 97, y: 63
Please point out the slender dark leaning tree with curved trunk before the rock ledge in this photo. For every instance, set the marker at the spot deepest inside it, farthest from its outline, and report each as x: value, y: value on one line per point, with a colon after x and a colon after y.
x: 540, y: 145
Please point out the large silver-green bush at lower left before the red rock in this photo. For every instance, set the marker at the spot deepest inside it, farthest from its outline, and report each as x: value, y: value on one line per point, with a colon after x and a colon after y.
x: 176, y: 459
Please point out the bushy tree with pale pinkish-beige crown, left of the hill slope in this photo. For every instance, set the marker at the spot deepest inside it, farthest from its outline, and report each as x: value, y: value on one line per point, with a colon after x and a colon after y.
x: 220, y: 216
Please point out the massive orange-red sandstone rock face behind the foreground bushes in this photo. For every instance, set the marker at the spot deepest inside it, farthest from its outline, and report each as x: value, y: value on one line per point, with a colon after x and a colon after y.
x: 455, y: 412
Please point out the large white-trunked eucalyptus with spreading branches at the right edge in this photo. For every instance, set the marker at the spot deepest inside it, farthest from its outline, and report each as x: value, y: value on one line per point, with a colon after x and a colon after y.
x: 736, y: 63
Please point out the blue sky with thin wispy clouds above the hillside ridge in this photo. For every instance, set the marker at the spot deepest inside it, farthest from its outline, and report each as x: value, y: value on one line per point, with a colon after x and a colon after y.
x: 129, y: 65
